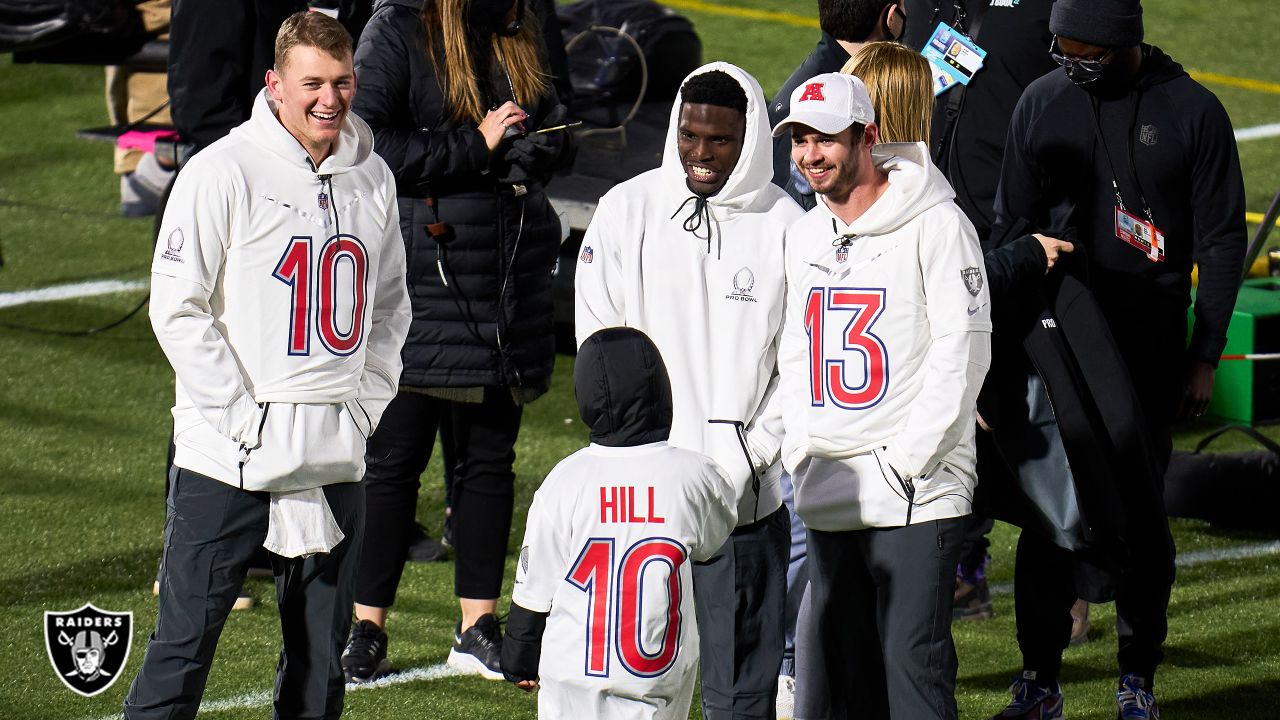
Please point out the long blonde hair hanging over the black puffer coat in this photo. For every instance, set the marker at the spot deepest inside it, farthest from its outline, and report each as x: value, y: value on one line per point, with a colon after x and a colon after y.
x: 458, y: 74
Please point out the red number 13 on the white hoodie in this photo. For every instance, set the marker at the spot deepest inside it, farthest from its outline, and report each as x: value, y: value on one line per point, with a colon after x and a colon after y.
x: 861, y: 357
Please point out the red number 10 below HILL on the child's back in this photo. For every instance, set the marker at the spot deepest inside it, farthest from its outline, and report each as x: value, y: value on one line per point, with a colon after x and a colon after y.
x: 616, y: 608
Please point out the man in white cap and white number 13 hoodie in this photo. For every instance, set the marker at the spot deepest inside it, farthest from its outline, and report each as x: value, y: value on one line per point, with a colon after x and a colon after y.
x: 885, y: 345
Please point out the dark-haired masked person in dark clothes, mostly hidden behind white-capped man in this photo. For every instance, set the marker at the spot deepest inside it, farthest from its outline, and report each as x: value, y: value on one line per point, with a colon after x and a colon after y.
x: 847, y: 26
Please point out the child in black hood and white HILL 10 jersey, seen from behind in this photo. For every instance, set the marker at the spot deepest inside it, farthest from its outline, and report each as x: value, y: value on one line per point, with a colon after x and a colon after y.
x: 623, y: 517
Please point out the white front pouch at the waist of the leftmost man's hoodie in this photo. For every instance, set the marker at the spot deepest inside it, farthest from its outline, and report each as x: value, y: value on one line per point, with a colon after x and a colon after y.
x: 304, y: 446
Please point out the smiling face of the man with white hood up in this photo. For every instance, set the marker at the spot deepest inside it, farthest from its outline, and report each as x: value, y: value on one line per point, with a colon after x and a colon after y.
x: 710, y: 142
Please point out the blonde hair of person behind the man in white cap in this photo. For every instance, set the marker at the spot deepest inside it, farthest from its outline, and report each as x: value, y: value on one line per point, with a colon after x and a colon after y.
x: 902, y: 88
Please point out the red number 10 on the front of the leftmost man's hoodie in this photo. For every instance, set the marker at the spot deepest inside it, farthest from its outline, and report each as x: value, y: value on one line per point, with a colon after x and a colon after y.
x: 321, y: 291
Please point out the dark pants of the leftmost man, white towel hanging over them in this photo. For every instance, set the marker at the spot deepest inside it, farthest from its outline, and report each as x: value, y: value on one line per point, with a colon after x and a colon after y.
x: 212, y: 532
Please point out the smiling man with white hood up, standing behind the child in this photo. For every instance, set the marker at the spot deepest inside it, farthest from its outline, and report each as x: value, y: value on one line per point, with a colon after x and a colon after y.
x: 692, y: 256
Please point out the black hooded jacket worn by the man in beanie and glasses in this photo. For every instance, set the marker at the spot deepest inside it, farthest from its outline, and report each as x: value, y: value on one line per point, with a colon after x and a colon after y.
x: 1168, y: 140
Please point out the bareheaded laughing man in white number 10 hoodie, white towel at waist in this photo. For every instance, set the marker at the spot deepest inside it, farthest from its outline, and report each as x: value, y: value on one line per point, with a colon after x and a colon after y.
x: 278, y: 297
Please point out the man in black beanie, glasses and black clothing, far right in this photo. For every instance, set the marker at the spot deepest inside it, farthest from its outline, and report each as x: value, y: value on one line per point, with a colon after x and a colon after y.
x: 1139, y: 161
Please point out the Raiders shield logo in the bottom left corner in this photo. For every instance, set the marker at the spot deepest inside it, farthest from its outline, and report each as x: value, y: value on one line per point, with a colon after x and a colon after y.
x: 89, y: 648
